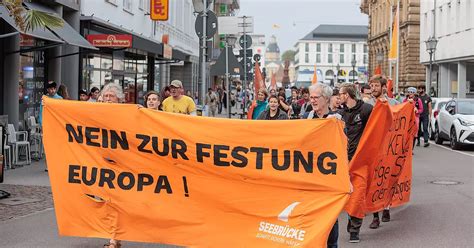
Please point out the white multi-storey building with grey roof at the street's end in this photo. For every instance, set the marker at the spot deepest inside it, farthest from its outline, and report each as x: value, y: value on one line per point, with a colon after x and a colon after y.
x: 332, y: 48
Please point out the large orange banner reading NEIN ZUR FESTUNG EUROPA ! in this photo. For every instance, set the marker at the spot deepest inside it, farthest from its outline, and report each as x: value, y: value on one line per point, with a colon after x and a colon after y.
x: 129, y: 173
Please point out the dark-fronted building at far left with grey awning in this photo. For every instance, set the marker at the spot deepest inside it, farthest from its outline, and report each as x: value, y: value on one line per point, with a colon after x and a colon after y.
x: 32, y: 58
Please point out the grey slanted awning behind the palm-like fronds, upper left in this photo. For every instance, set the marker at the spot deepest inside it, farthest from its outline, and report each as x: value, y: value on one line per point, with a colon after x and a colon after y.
x: 66, y: 32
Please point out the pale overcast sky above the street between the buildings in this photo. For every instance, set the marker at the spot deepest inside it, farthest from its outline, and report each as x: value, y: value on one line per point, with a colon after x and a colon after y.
x: 297, y: 18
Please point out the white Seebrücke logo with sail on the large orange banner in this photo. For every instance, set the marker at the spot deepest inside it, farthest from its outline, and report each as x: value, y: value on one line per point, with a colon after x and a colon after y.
x: 281, y: 233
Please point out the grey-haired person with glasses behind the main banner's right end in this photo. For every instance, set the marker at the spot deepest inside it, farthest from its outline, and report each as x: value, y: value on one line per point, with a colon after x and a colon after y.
x: 320, y: 96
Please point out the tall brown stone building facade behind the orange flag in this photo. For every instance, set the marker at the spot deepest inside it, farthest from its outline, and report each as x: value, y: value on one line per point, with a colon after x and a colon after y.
x: 410, y: 71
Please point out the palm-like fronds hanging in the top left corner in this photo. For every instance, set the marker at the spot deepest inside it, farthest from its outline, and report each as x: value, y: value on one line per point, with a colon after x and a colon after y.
x: 30, y: 19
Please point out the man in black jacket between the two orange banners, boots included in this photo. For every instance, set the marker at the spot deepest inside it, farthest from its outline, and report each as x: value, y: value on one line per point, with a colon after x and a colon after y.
x: 355, y: 115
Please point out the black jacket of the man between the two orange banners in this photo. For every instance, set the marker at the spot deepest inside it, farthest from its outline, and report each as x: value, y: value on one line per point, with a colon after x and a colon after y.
x: 356, y: 119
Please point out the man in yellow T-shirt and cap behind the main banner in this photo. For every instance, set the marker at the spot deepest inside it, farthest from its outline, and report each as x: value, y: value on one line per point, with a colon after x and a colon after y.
x: 179, y: 103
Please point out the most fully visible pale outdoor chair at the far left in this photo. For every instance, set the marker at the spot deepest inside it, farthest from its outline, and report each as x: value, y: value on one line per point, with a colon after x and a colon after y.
x: 19, y: 140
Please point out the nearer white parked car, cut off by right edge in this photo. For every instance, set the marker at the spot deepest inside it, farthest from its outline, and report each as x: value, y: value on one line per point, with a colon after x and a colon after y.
x: 456, y: 123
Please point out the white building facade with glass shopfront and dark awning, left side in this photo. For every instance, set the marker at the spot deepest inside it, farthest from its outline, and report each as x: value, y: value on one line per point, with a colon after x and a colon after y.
x: 158, y: 53
